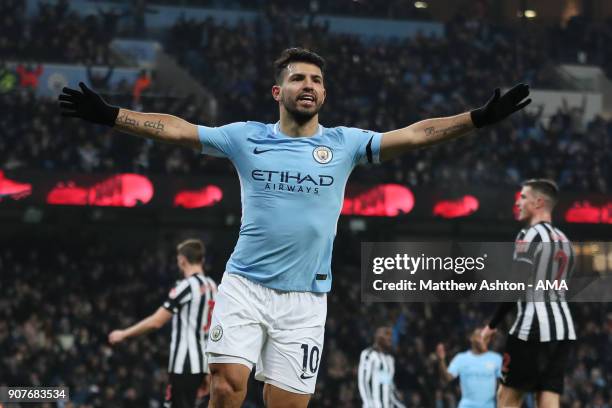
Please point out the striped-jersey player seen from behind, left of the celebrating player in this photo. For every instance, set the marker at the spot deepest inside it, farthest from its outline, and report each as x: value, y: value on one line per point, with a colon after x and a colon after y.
x: 189, y: 304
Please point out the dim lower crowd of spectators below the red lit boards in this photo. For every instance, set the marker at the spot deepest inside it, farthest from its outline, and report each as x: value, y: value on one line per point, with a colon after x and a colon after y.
x: 62, y: 300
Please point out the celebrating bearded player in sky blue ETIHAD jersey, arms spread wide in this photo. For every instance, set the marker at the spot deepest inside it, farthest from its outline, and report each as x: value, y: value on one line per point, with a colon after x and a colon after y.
x: 272, y: 303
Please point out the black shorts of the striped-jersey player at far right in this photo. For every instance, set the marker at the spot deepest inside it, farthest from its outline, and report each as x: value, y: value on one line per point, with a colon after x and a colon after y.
x: 534, y: 366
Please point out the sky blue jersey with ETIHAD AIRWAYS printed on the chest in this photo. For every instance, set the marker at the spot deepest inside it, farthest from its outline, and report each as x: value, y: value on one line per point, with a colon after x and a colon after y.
x: 292, y: 191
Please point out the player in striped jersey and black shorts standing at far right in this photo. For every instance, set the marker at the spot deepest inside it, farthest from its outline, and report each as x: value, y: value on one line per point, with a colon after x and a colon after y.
x: 540, y: 339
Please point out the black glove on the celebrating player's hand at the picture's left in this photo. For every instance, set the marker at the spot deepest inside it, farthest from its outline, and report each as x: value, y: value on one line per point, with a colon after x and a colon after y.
x: 87, y: 105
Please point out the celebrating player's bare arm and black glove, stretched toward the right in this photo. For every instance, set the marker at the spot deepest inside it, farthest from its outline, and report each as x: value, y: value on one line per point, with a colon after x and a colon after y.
x: 433, y: 131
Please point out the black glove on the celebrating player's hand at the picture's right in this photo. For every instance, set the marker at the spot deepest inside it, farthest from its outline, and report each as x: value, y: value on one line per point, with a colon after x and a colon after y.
x: 500, y: 107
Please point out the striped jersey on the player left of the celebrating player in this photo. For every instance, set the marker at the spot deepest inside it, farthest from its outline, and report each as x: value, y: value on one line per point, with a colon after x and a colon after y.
x: 191, y: 301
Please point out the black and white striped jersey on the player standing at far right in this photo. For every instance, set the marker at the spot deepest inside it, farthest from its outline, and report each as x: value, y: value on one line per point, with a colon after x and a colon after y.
x: 545, y: 315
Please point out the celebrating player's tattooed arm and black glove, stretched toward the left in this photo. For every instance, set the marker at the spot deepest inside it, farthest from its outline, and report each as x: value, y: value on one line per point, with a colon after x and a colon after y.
x: 88, y: 105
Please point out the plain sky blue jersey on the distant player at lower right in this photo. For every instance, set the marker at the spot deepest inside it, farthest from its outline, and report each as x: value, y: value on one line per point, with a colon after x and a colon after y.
x: 478, y: 374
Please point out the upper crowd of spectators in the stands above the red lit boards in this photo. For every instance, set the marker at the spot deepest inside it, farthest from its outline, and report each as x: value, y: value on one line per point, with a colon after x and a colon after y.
x: 378, y: 85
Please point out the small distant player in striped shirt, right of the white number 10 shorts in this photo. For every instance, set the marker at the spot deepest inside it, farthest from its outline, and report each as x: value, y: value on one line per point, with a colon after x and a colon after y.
x: 376, y: 372
